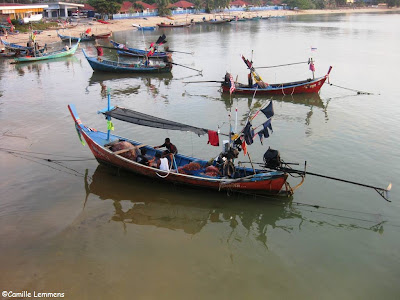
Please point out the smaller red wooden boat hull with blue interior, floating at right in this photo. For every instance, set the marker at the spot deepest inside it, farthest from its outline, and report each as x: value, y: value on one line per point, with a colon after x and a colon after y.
x: 289, y: 88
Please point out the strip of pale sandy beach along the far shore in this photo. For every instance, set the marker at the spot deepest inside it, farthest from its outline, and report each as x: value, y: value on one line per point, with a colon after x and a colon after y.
x: 50, y: 36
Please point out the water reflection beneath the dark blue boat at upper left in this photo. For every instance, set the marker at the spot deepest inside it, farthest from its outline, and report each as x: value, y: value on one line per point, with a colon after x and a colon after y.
x: 128, y: 84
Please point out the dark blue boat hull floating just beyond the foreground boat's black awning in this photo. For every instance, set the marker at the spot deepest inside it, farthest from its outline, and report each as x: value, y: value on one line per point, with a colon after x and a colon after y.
x: 119, y: 67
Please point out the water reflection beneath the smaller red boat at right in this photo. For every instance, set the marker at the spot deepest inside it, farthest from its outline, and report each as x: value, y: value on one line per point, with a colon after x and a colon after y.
x: 311, y: 100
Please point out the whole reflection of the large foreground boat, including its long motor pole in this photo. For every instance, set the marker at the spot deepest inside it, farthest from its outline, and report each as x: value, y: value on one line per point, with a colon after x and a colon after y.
x: 142, y: 201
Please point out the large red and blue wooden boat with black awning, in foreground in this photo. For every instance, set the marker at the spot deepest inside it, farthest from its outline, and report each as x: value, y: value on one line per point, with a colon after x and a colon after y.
x: 244, y: 179
